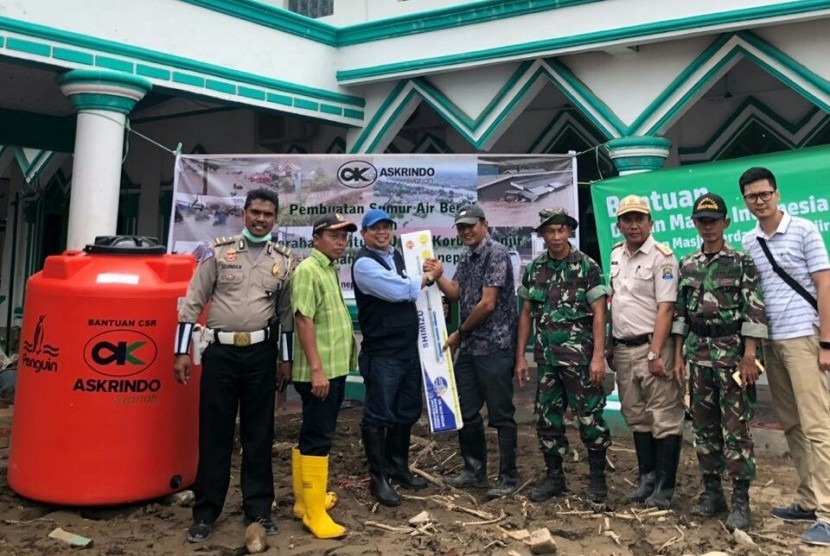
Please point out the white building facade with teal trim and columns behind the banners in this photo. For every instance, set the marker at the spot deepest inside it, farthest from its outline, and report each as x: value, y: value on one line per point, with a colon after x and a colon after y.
x: 98, y: 95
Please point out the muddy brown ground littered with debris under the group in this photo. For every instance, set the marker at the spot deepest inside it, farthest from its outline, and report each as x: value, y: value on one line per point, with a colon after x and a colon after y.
x: 463, y: 523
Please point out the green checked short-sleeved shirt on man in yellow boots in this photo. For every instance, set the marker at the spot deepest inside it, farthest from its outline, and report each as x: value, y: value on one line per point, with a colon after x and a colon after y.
x: 316, y: 294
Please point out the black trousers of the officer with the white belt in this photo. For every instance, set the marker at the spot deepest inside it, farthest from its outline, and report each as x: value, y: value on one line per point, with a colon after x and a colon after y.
x: 243, y: 378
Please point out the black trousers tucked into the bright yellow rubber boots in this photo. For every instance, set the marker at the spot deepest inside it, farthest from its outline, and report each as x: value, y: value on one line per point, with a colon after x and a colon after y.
x: 319, y: 416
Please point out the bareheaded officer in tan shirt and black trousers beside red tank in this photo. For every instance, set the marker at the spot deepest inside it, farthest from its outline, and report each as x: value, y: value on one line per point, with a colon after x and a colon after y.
x: 246, y: 278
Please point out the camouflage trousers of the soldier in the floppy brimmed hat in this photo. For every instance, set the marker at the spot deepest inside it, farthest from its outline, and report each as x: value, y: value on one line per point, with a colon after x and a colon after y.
x: 562, y: 387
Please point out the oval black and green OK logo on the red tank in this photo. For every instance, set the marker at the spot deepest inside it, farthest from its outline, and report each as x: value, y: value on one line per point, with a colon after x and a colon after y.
x: 120, y: 353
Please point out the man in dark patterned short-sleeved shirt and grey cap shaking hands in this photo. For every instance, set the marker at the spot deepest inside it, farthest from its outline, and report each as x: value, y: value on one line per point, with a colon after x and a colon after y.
x: 486, y: 341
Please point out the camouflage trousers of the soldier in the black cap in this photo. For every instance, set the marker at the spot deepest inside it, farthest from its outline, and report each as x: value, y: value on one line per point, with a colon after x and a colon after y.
x: 722, y: 413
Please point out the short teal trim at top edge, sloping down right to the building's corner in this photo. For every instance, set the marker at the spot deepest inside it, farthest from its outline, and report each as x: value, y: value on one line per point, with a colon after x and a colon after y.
x: 274, y: 18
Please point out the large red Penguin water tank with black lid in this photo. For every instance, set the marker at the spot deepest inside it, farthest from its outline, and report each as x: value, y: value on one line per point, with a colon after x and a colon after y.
x: 98, y: 415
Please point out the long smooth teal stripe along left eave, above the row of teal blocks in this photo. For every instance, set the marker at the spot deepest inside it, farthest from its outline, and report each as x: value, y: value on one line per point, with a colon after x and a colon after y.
x: 145, y: 56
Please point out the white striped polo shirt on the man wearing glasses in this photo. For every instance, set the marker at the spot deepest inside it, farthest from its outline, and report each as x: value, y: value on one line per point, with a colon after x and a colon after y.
x: 798, y: 248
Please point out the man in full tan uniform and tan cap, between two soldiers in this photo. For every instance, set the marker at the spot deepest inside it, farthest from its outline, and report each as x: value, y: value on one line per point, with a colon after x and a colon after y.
x: 644, y: 277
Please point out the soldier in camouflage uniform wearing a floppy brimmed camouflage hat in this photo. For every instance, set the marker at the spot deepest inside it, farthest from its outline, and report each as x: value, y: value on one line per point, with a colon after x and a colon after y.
x: 565, y: 298
